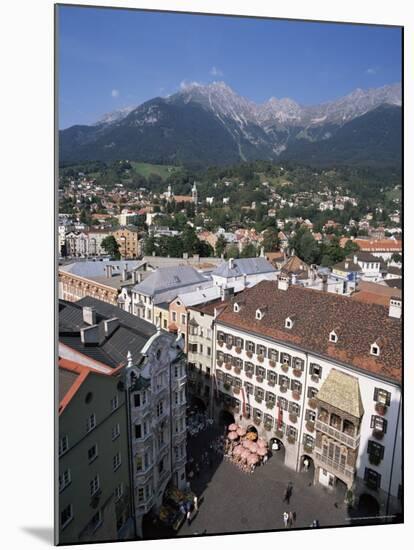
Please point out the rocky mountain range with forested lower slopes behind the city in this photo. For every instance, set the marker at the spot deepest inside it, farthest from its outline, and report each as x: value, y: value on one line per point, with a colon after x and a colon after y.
x: 212, y: 124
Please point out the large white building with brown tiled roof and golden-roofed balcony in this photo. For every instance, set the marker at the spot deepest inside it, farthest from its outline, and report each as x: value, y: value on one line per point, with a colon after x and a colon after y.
x: 319, y: 375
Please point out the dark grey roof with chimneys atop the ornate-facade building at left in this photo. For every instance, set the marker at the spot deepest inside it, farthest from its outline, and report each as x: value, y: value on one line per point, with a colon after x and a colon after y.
x: 131, y: 334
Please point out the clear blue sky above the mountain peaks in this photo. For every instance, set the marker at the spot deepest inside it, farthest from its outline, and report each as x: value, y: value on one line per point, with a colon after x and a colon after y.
x: 109, y: 59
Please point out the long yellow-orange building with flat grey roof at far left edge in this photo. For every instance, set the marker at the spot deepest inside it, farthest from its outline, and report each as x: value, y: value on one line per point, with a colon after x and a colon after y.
x: 101, y: 280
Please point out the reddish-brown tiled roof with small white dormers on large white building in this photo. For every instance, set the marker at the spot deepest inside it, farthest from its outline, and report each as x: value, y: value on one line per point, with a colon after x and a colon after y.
x: 357, y: 324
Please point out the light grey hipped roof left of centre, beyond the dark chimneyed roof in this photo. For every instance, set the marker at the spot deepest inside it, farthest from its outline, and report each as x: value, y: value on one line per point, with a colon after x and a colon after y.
x: 169, y: 278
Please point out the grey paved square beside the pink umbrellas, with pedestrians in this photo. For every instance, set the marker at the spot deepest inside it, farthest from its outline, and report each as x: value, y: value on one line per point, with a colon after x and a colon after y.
x: 231, y: 501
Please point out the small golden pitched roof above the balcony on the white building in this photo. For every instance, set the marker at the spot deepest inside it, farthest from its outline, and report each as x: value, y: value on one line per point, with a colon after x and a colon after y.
x: 342, y: 391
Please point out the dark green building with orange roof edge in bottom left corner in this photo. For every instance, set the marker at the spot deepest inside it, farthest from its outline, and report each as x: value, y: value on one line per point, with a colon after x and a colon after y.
x: 95, y: 501
